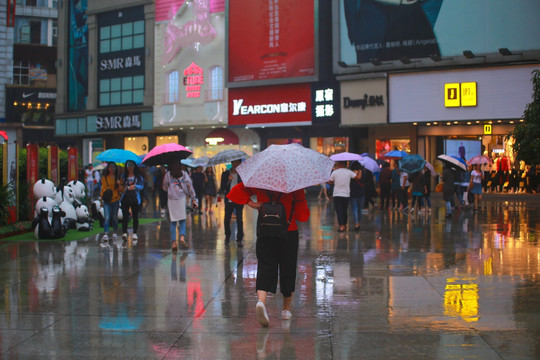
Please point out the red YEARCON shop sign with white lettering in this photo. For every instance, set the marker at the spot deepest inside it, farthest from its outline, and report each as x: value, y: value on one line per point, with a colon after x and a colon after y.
x: 271, y: 105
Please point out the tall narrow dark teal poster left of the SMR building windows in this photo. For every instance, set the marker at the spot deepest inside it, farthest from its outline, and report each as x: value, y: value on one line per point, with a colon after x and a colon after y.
x: 78, y: 55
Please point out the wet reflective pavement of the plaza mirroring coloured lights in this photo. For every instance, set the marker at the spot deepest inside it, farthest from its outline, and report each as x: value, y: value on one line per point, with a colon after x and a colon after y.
x: 402, y: 287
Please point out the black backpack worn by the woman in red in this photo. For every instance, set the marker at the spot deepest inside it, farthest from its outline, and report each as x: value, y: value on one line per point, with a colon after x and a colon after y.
x: 272, y: 220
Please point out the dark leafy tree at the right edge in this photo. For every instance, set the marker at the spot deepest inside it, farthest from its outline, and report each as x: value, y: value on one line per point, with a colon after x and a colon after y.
x: 527, y: 134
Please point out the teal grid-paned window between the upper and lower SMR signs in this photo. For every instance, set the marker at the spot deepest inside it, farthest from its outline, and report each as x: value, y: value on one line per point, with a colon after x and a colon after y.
x: 121, y: 91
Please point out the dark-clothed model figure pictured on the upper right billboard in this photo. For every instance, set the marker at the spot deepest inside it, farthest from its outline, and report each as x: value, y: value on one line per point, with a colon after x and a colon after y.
x: 392, y: 29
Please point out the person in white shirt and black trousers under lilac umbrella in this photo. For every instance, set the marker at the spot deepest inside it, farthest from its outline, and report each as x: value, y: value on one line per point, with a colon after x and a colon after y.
x: 341, y: 179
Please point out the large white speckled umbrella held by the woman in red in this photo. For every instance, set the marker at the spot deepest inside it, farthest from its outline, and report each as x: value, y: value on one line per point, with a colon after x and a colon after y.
x: 285, y: 168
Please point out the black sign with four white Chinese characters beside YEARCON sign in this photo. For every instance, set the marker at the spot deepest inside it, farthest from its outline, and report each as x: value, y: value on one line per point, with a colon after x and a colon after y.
x: 325, y: 102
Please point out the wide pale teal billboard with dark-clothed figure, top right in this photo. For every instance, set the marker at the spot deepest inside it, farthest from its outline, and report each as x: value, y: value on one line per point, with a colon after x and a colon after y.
x: 390, y: 30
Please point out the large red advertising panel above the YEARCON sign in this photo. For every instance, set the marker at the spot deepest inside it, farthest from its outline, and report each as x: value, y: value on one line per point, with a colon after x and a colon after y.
x: 270, y: 39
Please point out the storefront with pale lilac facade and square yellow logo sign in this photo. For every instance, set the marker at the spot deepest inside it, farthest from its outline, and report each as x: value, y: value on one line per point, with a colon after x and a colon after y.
x: 462, y: 112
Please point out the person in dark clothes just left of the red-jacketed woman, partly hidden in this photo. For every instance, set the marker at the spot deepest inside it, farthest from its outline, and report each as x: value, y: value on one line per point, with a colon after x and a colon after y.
x: 230, y: 179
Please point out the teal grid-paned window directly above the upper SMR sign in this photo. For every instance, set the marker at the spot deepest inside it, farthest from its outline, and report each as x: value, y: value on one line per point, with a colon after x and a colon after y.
x: 119, y: 37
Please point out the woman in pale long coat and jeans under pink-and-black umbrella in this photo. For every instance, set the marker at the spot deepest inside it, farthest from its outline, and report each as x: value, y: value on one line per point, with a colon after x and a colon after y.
x: 178, y: 186
